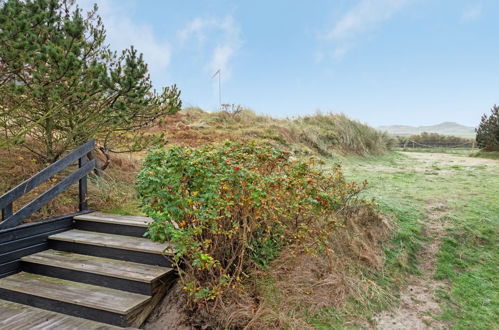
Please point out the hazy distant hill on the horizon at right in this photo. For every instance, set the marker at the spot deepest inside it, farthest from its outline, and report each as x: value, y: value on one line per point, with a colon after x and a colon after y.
x: 445, y: 128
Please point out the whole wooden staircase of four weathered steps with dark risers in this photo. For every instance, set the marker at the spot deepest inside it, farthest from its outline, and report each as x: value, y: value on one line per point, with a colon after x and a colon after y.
x: 102, y: 270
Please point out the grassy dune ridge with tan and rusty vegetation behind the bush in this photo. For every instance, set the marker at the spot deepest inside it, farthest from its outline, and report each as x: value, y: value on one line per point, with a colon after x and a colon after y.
x: 323, y: 134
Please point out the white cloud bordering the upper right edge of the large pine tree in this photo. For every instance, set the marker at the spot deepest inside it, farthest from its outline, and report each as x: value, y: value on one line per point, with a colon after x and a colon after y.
x: 122, y: 32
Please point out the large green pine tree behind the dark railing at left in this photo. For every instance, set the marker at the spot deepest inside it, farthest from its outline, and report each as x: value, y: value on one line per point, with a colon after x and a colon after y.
x: 61, y: 85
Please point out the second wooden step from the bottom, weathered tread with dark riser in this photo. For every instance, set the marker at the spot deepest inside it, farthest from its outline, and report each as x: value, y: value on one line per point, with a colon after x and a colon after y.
x: 111, y: 273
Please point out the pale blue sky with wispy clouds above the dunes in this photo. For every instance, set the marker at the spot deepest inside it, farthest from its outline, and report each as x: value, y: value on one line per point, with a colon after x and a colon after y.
x: 414, y: 62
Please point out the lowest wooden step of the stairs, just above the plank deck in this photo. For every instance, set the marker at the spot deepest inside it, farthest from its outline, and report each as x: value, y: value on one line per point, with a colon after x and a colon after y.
x: 77, y: 299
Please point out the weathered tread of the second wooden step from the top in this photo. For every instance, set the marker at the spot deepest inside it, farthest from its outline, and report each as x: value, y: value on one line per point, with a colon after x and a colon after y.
x: 113, y: 241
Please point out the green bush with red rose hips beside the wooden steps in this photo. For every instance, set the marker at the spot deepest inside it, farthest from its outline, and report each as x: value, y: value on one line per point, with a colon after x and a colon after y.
x: 231, y: 209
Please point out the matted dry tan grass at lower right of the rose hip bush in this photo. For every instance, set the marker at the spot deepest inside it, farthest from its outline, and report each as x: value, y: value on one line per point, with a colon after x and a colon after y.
x: 303, y: 286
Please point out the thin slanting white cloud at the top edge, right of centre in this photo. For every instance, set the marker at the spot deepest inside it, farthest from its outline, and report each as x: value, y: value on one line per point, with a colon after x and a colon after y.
x: 365, y: 16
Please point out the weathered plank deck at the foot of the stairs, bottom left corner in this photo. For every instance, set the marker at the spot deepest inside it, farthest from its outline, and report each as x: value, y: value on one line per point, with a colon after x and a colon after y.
x: 21, y: 317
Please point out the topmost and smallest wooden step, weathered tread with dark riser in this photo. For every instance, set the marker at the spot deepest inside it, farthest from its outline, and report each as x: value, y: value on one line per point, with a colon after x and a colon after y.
x: 113, y: 224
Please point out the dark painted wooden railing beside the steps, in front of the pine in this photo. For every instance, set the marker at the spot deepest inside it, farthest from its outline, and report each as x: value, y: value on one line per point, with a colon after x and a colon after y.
x: 85, y: 166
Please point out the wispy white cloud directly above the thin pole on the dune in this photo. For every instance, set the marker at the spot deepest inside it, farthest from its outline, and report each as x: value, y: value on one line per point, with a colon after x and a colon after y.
x: 220, y: 38
